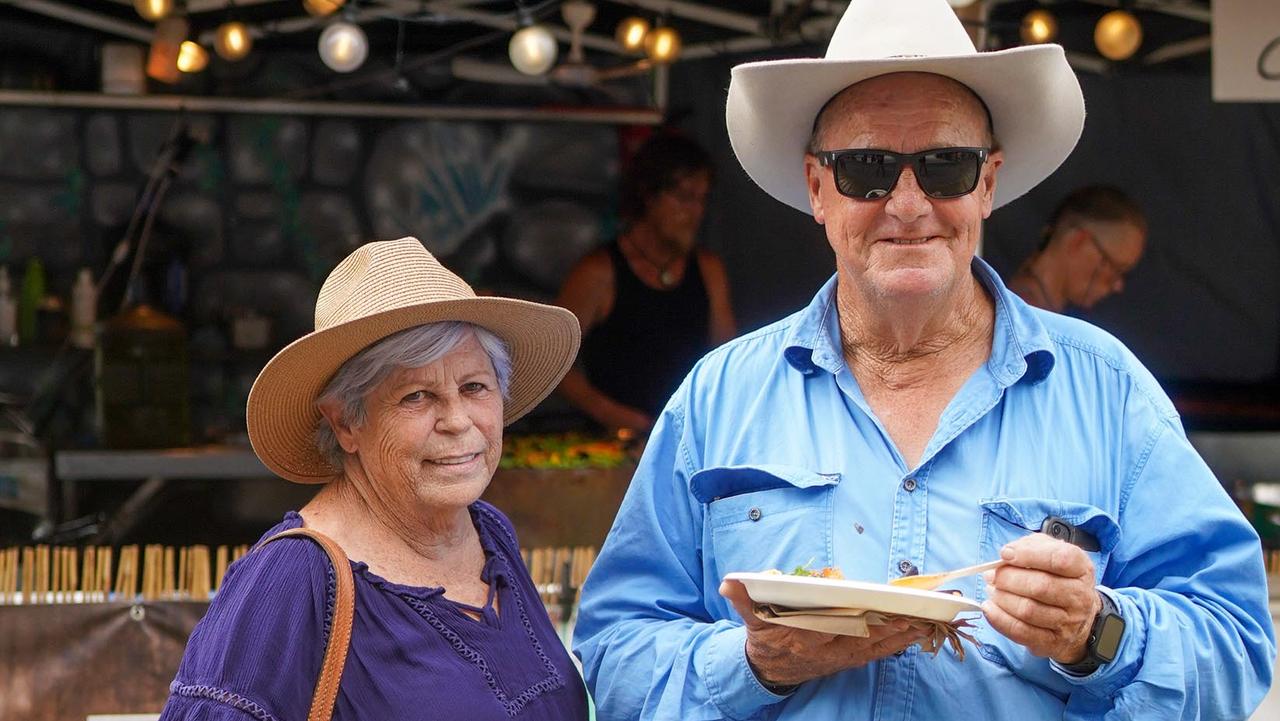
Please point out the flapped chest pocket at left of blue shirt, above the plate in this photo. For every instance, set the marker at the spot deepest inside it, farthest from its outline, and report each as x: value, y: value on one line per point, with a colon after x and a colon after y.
x: 766, y: 517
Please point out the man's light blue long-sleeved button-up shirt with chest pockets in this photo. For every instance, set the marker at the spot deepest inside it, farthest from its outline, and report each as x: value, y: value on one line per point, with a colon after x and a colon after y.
x: 769, y: 457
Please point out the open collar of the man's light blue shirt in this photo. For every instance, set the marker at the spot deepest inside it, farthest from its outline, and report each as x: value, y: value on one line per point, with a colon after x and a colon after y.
x: 1021, y: 345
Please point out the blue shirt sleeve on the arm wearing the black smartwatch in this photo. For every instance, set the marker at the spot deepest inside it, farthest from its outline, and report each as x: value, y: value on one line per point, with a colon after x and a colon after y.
x: 1188, y: 579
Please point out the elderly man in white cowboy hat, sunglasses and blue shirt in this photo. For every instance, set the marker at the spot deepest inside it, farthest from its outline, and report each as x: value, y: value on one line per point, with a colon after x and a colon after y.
x: 918, y: 417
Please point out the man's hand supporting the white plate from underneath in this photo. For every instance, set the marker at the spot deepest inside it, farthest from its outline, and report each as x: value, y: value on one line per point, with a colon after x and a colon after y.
x: 784, y: 656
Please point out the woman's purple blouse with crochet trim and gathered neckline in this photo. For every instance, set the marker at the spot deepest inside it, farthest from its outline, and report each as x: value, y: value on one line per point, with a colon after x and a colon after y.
x: 414, y: 654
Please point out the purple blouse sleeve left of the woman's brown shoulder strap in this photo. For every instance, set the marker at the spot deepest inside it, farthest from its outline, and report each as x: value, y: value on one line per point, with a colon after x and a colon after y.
x: 259, y: 650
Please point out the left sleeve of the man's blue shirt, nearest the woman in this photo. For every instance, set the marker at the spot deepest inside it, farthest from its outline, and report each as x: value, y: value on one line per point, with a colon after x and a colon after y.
x: 650, y: 647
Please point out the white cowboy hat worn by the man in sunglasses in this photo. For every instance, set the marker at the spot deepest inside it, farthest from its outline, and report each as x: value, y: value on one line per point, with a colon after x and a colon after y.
x: 1035, y: 99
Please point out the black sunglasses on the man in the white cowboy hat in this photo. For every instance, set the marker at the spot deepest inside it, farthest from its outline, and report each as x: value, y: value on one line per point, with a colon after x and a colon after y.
x: 871, y: 175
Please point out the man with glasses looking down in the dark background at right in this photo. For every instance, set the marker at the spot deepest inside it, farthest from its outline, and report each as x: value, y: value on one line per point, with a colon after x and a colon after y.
x: 1095, y: 239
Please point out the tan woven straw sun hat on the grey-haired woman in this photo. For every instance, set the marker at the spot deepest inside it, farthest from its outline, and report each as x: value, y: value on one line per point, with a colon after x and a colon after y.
x: 380, y: 290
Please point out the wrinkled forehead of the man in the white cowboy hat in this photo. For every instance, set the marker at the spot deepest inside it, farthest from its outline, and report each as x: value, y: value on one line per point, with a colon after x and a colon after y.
x: 900, y: 95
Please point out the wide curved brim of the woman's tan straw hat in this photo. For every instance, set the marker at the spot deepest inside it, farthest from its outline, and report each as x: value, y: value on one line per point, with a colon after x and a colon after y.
x: 282, y: 413
